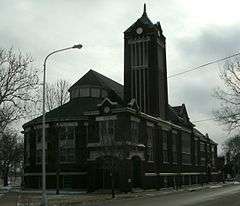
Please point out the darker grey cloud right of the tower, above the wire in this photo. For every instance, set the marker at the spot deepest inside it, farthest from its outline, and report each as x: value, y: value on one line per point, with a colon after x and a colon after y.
x: 213, y: 42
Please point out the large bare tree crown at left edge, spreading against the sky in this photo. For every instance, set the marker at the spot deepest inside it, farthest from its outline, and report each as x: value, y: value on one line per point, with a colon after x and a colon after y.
x: 18, y: 79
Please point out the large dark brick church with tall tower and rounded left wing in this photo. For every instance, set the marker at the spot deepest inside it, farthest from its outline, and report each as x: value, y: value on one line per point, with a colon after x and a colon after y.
x: 126, y: 132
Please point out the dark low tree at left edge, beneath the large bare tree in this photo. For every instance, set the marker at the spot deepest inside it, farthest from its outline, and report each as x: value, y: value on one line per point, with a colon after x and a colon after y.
x: 11, y: 153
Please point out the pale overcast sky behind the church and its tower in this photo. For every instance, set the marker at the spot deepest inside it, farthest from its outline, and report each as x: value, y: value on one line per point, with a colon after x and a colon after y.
x: 196, y: 32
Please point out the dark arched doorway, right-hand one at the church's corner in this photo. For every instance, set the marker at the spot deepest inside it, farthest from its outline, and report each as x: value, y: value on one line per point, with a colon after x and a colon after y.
x: 136, y: 172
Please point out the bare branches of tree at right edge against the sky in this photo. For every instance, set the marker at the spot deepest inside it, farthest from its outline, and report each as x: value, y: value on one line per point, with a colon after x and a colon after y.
x: 229, y: 97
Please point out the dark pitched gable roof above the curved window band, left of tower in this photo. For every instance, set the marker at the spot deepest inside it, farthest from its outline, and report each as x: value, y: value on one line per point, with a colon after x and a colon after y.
x: 94, y: 78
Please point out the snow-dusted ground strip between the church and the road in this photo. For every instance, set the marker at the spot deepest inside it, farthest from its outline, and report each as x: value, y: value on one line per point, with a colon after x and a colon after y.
x: 33, y: 198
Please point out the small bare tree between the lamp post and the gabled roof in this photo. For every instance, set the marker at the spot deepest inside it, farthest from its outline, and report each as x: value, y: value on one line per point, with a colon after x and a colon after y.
x: 57, y: 94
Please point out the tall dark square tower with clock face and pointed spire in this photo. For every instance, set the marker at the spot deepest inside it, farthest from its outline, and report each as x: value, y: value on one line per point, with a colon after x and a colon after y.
x: 145, y: 70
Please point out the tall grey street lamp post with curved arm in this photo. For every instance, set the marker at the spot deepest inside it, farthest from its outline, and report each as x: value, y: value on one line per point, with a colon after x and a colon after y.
x: 44, y: 195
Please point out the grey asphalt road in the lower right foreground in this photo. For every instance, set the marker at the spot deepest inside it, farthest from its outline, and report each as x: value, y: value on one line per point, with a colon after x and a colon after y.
x: 224, y: 196
